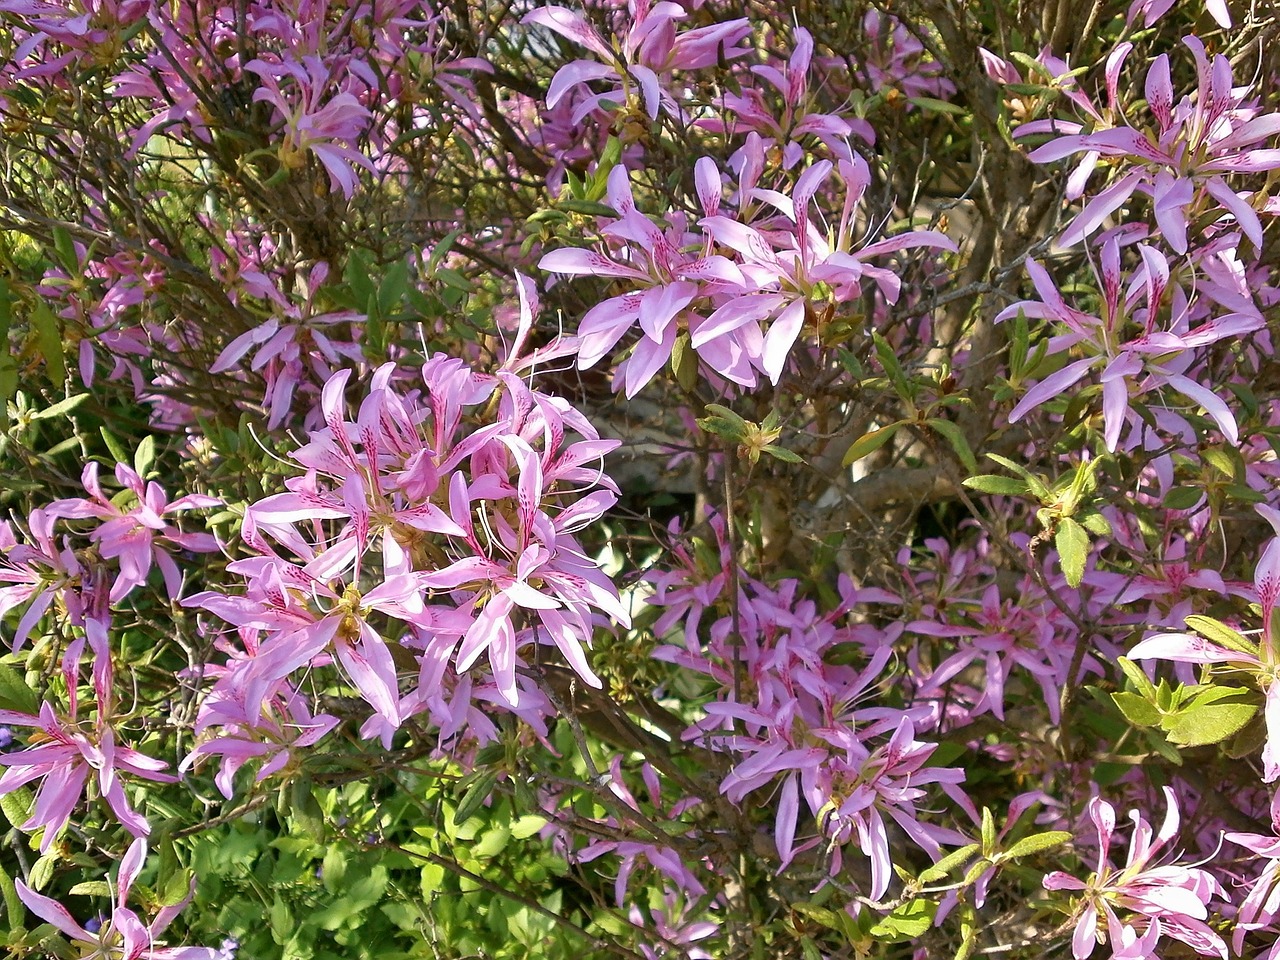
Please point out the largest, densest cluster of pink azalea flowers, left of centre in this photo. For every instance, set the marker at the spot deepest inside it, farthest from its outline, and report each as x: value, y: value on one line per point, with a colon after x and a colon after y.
x: 418, y: 537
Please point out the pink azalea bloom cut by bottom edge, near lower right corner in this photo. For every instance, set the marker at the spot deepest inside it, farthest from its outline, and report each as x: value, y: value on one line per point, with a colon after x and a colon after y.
x: 1173, y: 897
